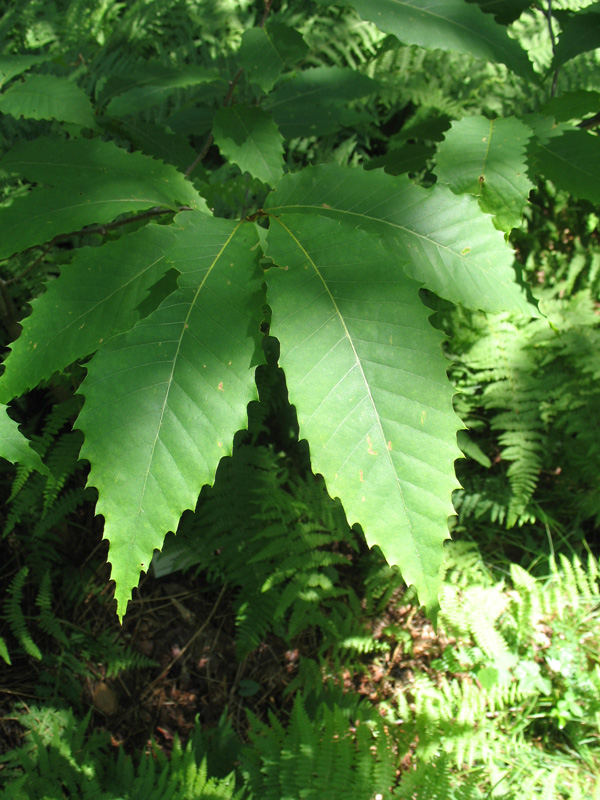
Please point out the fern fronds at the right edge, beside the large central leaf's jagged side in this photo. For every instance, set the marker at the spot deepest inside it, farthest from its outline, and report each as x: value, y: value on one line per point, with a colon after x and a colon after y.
x: 537, y: 387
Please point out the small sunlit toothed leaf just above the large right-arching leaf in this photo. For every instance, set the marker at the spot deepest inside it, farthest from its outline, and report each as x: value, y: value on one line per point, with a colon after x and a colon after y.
x: 486, y: 158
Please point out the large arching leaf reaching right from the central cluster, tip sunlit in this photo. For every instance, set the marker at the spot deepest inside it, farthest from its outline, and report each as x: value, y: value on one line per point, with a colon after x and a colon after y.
x: 444, y: 241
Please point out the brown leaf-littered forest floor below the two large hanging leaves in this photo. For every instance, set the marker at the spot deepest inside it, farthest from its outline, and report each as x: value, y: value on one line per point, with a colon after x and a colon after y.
x: 187, y: 628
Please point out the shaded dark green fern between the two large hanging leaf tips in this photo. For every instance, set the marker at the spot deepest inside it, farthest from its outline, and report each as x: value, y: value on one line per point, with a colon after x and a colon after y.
x: 276, y: 536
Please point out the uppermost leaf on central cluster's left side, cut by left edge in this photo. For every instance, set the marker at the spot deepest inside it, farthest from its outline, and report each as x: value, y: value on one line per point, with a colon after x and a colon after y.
x: 93, y: 182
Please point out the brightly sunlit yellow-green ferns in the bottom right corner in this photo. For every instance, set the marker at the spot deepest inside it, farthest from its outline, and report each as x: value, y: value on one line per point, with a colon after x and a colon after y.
x: 521, y: 691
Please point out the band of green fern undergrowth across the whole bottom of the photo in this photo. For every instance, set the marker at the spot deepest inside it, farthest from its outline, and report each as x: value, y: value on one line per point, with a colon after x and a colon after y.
x: 509, y: 709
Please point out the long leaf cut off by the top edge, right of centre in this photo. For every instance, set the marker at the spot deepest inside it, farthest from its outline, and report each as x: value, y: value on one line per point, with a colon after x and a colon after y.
x: 451, y: 25
